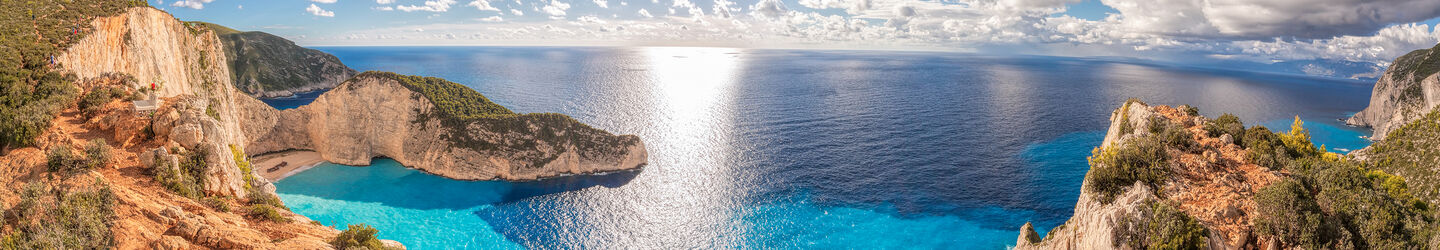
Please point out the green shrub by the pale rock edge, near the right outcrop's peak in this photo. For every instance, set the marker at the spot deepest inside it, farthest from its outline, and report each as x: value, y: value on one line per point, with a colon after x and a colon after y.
x: 1112, y: 170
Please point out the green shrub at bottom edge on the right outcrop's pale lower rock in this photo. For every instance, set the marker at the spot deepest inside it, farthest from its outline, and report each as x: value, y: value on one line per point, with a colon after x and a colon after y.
x: 1161, y: 226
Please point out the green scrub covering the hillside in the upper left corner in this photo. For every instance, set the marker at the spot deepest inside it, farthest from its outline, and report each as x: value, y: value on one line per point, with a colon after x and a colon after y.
x: 32, y: 32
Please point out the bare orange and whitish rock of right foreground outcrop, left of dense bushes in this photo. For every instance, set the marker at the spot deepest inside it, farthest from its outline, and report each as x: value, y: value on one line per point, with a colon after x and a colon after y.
x: 1209, y: 182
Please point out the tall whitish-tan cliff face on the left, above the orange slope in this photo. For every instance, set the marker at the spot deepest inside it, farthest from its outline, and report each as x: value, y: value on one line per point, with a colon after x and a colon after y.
x: 188, y: 65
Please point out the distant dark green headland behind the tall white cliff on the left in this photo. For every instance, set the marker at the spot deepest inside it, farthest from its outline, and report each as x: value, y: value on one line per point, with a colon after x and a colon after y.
x: 269, y: 67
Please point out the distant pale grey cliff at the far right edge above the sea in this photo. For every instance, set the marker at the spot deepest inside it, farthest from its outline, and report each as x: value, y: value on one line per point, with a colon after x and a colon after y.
x: 1409, y: 90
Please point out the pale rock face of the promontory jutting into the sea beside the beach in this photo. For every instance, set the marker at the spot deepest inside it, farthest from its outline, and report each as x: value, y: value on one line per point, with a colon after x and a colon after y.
x: 374, y: 116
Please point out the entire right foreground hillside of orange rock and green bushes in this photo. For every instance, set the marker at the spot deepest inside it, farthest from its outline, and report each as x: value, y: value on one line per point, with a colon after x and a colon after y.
x: 1169, y: 179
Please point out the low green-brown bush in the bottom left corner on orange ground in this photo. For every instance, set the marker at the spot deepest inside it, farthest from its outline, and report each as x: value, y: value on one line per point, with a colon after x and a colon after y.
x: 61, y: 219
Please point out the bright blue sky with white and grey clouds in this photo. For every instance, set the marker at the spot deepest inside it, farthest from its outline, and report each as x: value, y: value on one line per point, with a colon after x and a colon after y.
x: 1324, y: 38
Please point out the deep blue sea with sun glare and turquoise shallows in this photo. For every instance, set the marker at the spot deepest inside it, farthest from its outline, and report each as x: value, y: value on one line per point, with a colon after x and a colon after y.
x: 791, y: 149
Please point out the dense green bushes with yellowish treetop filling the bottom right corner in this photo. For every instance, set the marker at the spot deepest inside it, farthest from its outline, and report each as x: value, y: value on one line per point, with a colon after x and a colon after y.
x: 1336, y: 203
